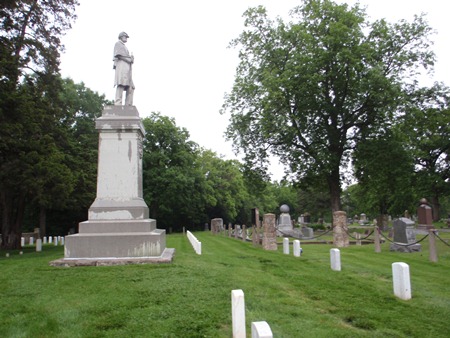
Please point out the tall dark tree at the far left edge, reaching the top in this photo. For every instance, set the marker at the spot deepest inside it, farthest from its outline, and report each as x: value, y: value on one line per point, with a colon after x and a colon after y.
x: 29, y: 49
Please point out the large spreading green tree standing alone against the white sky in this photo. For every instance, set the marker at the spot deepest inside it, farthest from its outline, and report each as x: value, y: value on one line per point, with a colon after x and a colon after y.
x: 309, y: 91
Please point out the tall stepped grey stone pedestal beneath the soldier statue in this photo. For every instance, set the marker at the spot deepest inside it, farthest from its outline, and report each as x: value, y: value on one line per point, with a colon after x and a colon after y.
x: 118, y: 229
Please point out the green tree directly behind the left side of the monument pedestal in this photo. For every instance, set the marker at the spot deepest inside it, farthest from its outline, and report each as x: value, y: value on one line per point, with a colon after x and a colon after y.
x: 80, y: 106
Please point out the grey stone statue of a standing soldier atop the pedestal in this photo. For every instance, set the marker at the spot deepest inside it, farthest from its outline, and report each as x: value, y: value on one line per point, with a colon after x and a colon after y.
x: 123, y: 78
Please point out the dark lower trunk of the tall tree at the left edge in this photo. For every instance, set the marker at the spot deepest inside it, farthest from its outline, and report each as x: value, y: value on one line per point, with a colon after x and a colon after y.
x: 12, y: 218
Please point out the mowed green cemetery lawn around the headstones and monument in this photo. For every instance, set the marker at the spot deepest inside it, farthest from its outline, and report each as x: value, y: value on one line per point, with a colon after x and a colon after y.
x: 298, y: 297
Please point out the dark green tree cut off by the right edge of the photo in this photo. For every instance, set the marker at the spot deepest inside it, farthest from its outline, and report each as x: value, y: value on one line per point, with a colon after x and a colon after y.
x: 426, y: 125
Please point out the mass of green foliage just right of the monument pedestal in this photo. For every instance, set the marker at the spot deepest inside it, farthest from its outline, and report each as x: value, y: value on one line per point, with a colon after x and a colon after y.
x: 185, y: 185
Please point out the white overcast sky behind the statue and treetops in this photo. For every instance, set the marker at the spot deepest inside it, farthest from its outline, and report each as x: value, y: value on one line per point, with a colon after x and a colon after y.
x: 182, y: 64
